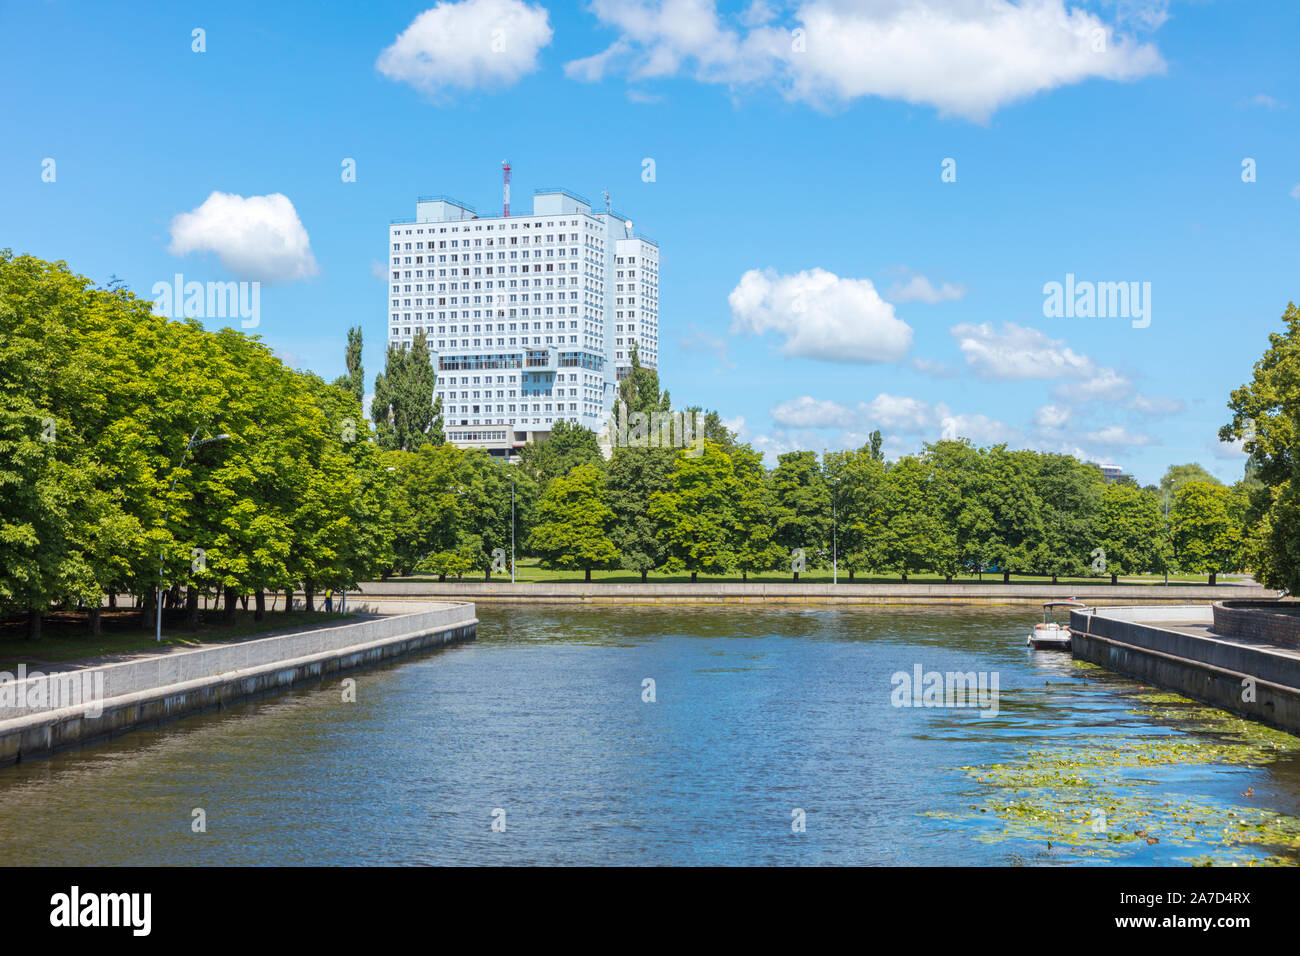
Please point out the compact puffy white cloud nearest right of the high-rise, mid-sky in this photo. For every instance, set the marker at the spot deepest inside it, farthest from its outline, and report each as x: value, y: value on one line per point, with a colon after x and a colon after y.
x: 820, y: 315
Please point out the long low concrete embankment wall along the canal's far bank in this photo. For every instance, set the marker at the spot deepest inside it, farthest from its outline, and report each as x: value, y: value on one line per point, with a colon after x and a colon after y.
x: 991, y: 594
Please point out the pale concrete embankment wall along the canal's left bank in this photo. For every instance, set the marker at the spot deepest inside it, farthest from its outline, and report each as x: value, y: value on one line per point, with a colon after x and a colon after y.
x: 38, y: 719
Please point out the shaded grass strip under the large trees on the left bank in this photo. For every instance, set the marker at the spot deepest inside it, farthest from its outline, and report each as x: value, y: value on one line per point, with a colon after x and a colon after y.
x: 66, y: 635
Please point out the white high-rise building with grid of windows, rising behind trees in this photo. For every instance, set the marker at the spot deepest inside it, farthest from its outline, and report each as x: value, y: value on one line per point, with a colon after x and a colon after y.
x: 530, y: 319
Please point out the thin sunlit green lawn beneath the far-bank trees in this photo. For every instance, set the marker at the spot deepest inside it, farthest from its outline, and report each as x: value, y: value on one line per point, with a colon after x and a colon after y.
x: 530, y: 570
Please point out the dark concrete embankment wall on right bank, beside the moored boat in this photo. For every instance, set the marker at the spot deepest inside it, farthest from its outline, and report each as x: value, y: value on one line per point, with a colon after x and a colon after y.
x: 1256, y: 682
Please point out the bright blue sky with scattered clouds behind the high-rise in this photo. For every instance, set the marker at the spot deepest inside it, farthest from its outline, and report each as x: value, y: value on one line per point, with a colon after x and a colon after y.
x: 820, y: 278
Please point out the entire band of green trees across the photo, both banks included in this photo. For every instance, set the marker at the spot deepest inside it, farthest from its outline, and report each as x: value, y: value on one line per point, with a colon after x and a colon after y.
x: 137, y: 451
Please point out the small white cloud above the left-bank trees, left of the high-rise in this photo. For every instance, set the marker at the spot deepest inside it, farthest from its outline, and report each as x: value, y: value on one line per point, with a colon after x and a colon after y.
x: 258, y: 239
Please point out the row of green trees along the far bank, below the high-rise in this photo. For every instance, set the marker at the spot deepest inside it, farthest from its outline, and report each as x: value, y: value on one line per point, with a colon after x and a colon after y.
x: 954, y: 509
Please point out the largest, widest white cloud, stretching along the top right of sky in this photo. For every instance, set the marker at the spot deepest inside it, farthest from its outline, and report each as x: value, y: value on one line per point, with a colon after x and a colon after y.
x: 964, y: 58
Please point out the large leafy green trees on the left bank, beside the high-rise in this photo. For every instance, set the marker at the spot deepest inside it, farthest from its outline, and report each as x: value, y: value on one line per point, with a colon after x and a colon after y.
x: 136, y: 449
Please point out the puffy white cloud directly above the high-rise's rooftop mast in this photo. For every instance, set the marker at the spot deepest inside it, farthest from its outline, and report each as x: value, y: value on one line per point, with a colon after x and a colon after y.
x: 469, y: 45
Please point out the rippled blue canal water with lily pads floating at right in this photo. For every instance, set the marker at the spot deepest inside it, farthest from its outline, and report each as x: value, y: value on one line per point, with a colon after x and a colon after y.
x: 769, y: 736
